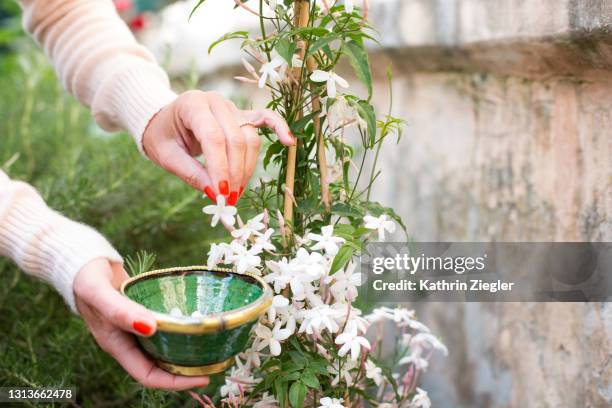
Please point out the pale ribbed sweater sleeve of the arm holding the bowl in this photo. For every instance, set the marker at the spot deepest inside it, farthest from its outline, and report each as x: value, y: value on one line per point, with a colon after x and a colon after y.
x: 48, y: 245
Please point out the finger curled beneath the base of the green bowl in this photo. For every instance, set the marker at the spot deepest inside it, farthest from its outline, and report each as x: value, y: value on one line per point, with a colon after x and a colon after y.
x: 125, y: 350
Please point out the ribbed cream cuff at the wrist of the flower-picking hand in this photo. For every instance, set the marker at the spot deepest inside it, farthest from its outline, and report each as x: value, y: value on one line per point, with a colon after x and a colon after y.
x: 131, y: 96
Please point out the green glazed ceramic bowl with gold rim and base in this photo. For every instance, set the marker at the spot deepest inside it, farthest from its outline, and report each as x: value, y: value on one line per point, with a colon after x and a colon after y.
x: 204, y: 316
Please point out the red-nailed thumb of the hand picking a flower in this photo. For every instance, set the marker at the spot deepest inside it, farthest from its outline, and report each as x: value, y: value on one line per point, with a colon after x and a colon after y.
x: 179, y: 162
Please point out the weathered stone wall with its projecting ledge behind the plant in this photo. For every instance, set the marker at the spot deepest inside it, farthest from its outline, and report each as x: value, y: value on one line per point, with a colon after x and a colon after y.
x: 509, y: 137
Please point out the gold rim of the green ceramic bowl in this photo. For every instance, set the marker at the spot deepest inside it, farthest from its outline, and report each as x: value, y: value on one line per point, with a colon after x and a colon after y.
x: 210, y: 323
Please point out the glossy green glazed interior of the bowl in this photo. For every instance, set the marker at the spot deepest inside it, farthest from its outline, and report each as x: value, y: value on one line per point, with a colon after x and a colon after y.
x: 195, y: 293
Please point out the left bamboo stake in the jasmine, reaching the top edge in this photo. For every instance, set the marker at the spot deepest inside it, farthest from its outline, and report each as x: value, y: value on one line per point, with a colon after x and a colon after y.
x: 302, y: 13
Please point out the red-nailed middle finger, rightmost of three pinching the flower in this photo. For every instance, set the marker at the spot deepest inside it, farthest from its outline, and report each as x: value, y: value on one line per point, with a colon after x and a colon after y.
x: 236, y: 143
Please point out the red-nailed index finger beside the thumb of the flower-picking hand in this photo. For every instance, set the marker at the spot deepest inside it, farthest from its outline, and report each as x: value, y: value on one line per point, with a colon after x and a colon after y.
x: 207, y: 130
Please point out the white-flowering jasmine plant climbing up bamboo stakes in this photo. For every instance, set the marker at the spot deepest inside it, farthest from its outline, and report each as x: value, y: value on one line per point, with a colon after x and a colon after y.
x: 315, y: 347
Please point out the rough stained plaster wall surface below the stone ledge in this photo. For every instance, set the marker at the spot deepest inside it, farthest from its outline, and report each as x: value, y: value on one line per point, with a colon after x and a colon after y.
x: 489, y: 156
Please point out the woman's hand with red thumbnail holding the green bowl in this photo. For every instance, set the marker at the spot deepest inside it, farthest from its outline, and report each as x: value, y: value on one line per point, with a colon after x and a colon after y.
x: 112, y: 318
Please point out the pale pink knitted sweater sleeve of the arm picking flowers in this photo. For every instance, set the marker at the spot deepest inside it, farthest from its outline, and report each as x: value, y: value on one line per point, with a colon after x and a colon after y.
x: 99, y: 62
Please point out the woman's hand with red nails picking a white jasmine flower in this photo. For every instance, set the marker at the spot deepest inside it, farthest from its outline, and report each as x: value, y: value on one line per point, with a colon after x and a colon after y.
x: 205, y: 122
